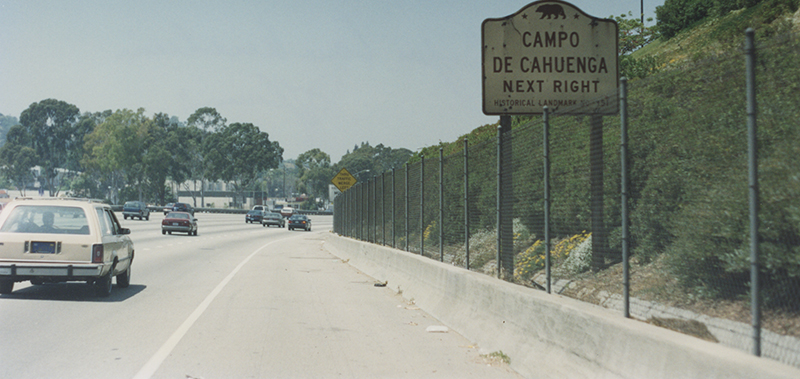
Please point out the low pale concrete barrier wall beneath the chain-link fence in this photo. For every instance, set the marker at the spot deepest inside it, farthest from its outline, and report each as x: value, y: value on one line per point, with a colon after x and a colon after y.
x: 549, y: 336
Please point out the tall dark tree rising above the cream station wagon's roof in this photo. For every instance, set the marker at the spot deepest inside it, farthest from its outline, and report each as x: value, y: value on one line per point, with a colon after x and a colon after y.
x: 50, y: 125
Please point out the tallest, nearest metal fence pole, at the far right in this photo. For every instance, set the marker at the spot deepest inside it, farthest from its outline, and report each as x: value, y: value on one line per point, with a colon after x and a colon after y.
x: 752, y: 155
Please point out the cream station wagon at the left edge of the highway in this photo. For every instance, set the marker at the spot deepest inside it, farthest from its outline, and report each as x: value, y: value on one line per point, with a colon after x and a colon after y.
x: 60, y: 240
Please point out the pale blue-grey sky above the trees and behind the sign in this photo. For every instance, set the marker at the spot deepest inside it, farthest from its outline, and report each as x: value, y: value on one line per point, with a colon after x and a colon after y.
x: 326, y: 74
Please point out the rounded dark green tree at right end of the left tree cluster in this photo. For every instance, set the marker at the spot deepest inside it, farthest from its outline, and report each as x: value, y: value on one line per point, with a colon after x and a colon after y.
x: 239, y: 152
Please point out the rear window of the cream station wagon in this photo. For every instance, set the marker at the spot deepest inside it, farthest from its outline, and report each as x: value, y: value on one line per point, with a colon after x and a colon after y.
x: 46, y: 219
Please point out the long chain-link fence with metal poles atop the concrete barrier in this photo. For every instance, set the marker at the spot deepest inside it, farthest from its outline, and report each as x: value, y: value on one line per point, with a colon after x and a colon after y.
x: 543, y: 202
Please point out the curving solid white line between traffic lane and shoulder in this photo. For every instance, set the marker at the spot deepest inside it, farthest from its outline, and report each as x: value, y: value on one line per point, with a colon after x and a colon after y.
x: 155, y: 362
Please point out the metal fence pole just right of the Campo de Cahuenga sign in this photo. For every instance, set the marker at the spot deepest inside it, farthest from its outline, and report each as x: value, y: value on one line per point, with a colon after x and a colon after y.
x: 623, y: 117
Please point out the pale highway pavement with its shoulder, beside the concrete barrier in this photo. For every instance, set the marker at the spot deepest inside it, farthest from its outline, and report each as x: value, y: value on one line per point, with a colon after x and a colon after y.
x: 237, y: 301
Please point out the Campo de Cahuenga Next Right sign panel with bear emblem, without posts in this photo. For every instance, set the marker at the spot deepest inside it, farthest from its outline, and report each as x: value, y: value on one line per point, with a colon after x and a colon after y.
x: 550, y: 54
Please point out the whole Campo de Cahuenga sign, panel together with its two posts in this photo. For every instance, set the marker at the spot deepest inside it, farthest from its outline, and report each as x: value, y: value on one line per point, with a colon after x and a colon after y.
x: 550, y: 54
